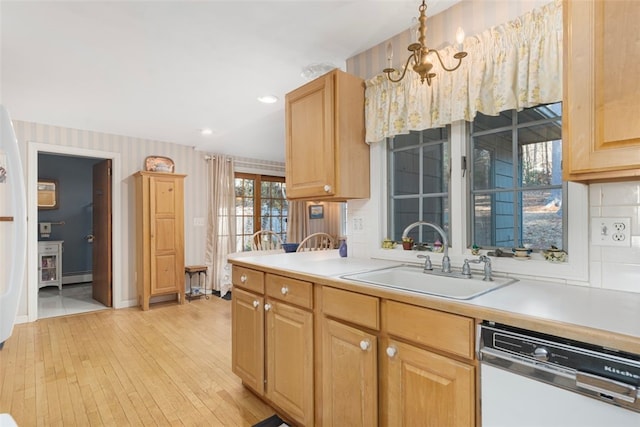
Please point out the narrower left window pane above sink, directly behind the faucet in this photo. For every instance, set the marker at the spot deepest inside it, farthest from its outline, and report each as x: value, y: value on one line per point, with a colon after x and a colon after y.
x: 419, y: 183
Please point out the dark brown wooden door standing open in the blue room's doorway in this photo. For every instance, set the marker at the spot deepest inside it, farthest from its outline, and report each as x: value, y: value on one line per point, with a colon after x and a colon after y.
x: 102, y: 254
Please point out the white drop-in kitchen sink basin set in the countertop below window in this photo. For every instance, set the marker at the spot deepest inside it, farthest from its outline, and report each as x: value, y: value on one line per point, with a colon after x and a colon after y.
x: 413, y: 279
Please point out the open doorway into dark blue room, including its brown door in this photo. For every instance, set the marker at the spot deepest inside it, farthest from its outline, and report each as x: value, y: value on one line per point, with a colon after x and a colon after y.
x: 78, y: 225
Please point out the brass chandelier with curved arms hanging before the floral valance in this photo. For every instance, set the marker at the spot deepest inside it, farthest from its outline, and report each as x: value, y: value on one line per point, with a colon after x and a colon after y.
x: 419, y: 58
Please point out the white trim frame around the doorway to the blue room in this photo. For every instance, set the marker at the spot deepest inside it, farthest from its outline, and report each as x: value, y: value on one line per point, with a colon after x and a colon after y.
x: 34, y: 150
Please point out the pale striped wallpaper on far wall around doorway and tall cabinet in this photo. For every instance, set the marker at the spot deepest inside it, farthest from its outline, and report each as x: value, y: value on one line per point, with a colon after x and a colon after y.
x: 133, y: 152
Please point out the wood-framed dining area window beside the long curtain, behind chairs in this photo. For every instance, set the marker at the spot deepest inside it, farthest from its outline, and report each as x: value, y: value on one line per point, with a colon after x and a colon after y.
x: 260, y: 205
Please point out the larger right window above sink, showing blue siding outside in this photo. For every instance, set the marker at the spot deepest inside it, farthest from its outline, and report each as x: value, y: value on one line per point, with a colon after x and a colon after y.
x: 516, y: 195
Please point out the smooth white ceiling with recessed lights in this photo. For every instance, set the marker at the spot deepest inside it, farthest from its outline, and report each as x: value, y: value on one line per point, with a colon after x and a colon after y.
x: 165, y: 70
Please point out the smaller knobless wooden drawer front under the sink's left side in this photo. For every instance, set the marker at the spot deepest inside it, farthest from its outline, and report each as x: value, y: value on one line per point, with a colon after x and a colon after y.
x: 352, y: 307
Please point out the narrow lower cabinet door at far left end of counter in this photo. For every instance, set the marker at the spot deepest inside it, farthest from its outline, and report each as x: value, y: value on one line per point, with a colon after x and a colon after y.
x: 247, y: 330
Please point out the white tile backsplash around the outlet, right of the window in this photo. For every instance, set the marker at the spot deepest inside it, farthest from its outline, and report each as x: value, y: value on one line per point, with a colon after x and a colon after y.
x: 616, y: 267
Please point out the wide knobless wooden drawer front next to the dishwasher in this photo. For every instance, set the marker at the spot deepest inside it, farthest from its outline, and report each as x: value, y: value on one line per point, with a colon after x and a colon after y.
x: 432, y: 328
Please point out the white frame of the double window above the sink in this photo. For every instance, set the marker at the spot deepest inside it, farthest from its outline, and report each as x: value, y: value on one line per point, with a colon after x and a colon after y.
x: 374, y: 213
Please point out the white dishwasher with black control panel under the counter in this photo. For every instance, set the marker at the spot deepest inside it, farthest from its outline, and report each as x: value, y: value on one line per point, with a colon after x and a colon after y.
x: 530, y: 379
